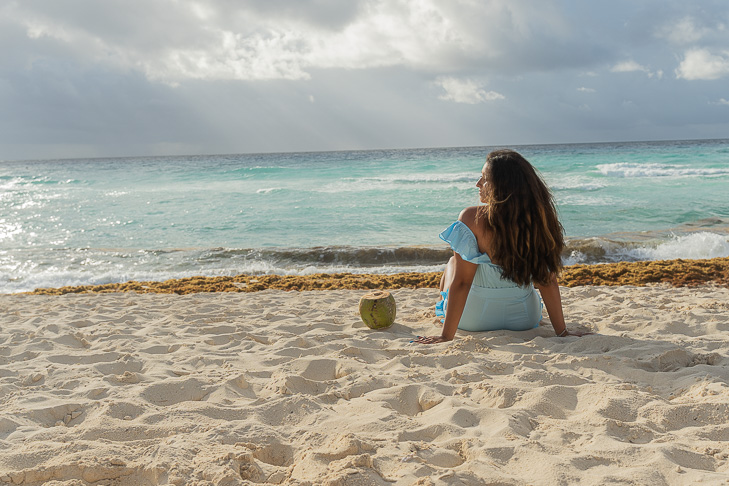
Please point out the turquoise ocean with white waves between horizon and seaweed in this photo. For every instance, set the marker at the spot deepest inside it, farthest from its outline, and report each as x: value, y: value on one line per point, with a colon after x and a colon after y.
x: 95, y: 221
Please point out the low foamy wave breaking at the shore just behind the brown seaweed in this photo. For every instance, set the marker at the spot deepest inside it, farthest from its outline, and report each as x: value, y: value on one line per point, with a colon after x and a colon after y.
x: 93, y: 267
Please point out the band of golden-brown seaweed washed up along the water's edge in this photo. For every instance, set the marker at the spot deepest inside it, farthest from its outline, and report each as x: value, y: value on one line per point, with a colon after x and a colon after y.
x: 675, y: 273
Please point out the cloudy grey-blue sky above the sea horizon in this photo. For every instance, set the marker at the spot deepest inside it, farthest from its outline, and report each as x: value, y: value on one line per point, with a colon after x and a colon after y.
x: 84, y: 78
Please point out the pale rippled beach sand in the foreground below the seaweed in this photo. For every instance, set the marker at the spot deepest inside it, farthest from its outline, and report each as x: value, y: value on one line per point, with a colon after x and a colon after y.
x: 291, y: 388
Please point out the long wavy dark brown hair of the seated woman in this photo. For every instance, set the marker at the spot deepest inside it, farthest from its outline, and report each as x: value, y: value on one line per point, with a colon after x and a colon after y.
x: 527, y: 237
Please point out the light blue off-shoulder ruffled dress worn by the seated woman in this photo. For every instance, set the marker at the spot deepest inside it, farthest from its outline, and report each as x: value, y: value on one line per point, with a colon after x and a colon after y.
x: 493, y: 302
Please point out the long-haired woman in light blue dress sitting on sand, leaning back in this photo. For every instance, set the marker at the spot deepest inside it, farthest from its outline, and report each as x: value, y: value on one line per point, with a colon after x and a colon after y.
x: 501, y: 251
